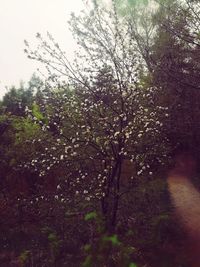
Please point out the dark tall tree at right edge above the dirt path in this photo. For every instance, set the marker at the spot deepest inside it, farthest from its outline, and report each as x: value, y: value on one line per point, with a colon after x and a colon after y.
x: 175, y: 57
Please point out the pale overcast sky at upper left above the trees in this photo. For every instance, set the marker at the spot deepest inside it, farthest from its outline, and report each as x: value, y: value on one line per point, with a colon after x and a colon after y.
x: 22, y: 19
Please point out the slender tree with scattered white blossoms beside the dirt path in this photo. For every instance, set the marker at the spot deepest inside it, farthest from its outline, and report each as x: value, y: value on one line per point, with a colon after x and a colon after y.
x: 104, y: 116
